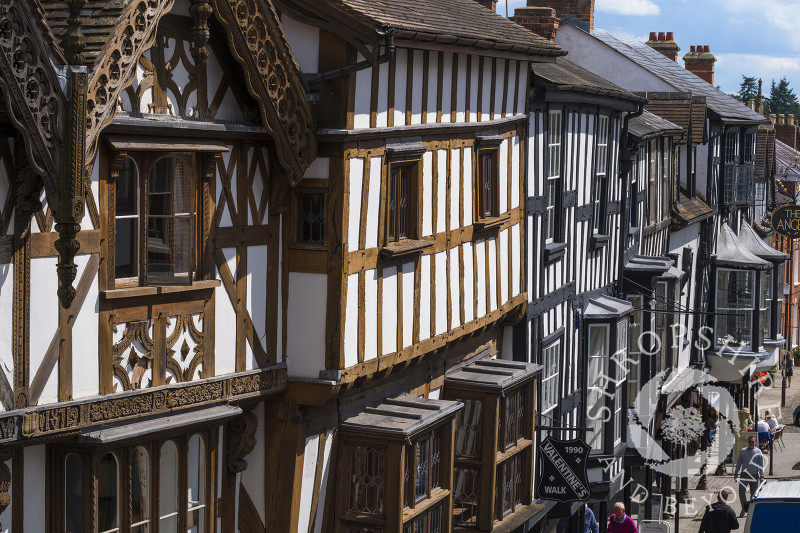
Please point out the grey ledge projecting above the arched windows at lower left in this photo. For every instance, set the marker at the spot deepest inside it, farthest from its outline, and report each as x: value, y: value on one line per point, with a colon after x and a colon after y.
x: 147, y: 428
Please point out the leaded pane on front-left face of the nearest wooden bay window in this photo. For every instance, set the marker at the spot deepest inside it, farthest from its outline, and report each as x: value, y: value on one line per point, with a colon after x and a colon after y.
x: 366, y: 480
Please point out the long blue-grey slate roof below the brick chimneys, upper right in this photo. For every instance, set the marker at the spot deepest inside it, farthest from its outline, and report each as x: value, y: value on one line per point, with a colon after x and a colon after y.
x: 671, y: 72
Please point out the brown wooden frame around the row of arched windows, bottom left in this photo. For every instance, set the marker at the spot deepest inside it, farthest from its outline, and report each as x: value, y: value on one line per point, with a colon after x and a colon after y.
x: 90, y: 457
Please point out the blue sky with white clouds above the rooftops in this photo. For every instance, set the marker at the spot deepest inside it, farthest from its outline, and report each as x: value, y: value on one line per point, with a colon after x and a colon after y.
x: 755, y: 38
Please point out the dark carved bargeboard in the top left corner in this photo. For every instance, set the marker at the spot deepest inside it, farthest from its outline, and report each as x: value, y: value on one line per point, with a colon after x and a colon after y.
x: 31, y: 88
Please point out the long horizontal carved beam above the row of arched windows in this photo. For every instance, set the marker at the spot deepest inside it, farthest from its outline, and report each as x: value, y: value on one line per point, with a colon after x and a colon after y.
x: 44, y: 421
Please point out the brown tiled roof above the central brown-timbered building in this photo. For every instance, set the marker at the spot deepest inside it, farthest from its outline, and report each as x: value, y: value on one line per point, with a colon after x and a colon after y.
x: 449, y: 20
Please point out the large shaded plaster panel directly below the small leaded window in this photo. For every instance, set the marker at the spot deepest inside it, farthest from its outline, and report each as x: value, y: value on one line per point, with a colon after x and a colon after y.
x: 305, y: 348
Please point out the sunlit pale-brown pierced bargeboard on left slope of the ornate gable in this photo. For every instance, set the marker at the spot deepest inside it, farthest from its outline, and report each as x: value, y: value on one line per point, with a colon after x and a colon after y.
x: 116, y: 70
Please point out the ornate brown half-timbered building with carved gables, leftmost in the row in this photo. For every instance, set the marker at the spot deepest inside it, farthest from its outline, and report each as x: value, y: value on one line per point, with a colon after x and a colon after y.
x: 153, y: 151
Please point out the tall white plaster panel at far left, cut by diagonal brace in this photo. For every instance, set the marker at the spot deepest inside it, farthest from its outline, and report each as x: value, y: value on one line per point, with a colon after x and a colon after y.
x: 44, y: 307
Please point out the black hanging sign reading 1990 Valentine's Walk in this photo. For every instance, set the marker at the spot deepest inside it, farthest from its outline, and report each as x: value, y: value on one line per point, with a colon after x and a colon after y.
x: 563, y: 470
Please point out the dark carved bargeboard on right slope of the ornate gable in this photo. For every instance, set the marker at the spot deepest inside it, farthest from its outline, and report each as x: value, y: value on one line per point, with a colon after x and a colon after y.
x: 273, y: 78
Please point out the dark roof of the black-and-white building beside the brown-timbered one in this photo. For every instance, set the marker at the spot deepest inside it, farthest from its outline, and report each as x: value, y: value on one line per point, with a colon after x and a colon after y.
x: 565, y: 75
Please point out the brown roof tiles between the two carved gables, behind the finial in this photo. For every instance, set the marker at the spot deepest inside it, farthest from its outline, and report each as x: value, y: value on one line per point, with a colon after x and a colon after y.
x: 99, y: 19
